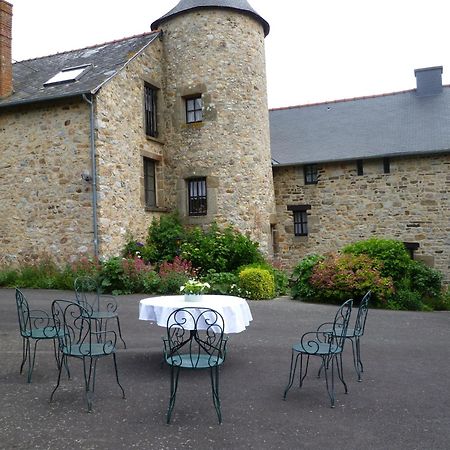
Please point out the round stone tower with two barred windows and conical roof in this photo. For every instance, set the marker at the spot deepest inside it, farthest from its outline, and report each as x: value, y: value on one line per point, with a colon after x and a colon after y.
x: 217, y: 160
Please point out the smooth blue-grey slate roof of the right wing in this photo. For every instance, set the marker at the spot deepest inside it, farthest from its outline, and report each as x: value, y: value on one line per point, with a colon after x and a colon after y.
x: 371, y: 127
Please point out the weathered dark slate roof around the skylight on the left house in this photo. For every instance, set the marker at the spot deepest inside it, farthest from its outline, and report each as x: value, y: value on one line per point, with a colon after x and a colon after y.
x: 107, y: 60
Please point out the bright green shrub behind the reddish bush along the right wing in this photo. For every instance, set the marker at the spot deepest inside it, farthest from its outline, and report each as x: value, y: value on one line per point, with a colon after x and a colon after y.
x: 393, y: 254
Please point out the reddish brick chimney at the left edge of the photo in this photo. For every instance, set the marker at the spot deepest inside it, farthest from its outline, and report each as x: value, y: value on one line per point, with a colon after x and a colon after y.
x: 6, y: 87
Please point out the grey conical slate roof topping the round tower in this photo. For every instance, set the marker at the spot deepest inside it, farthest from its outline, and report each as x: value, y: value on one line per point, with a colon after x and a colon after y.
x: 189, y: 5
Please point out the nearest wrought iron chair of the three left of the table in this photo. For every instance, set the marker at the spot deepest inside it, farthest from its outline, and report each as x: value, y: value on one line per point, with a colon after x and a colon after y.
x: 78, y: 337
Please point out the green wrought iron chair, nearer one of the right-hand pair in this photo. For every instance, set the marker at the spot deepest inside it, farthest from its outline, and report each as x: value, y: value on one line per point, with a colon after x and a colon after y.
x: 326, y: 344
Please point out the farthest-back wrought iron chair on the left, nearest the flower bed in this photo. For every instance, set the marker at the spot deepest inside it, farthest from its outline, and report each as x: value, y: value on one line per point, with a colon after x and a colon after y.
x: 99, y: 306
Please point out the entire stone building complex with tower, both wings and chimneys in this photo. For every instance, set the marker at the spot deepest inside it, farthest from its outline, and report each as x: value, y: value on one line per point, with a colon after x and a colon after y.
x: 96, y: 142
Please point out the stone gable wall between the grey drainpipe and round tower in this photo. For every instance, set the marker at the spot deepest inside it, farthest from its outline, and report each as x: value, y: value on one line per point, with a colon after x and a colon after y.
x: 121, y: 144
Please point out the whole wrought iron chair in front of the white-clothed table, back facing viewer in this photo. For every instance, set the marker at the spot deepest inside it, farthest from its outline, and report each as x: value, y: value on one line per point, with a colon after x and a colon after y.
x: 195, y: 340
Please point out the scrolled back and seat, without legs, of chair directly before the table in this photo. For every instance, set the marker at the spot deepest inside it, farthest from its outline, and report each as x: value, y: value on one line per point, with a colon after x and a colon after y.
x: 195, y: 337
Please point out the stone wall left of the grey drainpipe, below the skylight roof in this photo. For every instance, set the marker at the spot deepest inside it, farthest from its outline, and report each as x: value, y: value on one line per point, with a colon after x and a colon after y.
x: 46, y: 207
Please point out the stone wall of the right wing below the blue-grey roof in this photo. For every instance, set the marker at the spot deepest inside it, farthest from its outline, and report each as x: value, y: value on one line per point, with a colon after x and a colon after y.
x: 411, y: 204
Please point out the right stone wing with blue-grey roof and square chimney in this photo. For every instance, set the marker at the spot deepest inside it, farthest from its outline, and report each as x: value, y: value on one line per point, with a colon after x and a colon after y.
x: 366, y: 167
